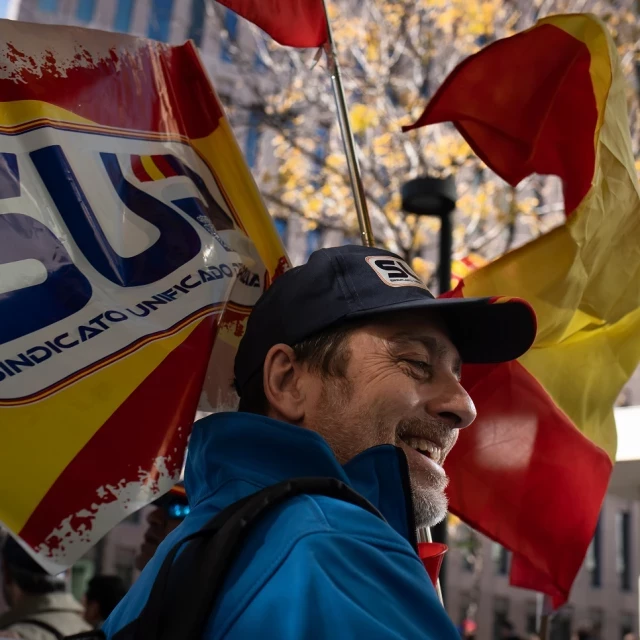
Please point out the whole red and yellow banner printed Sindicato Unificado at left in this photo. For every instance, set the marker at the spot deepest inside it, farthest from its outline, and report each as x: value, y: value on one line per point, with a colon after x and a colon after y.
x: 133, y: 245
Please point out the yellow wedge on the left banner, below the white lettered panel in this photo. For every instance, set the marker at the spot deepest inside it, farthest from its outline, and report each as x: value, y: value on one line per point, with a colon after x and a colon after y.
x: 82, y: 408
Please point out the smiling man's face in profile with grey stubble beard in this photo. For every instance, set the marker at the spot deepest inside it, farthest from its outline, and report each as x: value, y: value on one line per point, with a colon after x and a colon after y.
x: 402, y: 388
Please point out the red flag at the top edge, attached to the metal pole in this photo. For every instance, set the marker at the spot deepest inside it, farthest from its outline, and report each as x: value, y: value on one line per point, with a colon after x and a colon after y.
x: 294, y: 23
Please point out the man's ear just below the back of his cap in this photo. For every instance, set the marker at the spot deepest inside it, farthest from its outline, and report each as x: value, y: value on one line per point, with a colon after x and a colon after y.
x: 283, y: 386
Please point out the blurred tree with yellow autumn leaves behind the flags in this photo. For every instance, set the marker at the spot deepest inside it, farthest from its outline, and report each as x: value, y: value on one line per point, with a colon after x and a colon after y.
x: 394, y: 55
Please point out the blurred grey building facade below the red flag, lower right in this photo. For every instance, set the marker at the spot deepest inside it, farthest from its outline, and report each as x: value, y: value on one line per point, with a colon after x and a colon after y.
x: 604, y: 596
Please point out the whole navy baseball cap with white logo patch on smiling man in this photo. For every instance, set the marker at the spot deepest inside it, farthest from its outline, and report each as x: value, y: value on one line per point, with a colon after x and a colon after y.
x: 354, y: 282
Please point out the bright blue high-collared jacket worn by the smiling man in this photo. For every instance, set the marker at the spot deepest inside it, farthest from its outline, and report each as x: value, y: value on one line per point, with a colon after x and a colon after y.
x: 315, y: 567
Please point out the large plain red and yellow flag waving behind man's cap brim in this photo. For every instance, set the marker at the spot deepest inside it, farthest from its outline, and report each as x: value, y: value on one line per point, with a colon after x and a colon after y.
x: 533, y: 471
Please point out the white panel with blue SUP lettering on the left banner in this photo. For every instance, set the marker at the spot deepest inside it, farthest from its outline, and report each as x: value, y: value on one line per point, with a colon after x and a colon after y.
x: 109, y: 241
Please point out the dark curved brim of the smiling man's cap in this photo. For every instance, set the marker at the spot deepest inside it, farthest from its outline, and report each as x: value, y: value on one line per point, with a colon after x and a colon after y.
x: 484, y: 330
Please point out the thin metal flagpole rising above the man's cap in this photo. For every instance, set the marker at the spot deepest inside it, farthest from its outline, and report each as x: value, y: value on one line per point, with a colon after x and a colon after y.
x: 364, y: 222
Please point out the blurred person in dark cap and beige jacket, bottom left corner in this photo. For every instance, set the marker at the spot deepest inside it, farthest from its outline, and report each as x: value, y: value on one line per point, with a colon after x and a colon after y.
x: 40, y: 607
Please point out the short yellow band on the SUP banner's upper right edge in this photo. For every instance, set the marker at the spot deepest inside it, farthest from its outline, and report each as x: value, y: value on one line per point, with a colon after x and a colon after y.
x: 221, y: 152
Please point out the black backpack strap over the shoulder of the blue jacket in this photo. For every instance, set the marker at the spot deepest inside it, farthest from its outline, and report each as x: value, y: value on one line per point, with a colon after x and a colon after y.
x: 181, y: 608
